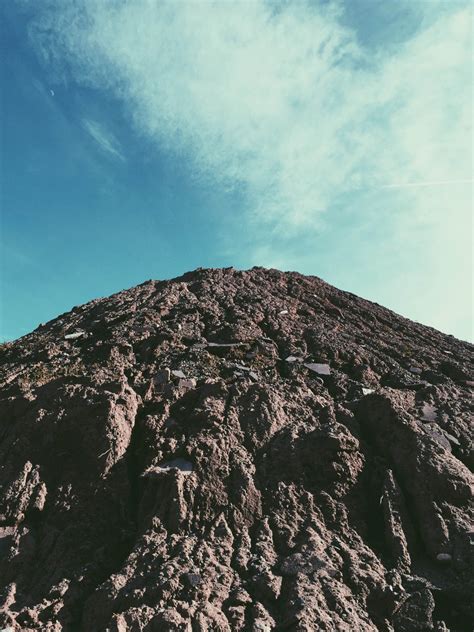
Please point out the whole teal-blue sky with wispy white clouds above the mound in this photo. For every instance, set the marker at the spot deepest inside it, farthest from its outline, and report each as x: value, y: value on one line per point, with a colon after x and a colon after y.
x: 143, y: 139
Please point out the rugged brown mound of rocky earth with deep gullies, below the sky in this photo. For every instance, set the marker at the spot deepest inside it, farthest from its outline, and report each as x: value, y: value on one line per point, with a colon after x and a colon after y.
x: 235, y: 451
